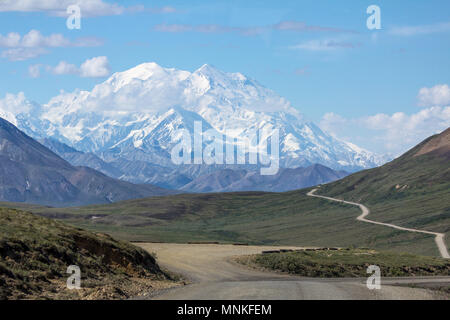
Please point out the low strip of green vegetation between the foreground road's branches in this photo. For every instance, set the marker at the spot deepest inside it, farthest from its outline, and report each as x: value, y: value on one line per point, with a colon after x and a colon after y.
x: 347, y: 263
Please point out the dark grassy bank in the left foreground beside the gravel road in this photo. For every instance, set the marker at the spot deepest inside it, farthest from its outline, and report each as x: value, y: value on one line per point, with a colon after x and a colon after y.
x: 35, y: 253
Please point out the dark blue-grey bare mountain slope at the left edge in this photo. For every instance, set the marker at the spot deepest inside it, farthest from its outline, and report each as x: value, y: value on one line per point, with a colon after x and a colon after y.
x: 29, y: 172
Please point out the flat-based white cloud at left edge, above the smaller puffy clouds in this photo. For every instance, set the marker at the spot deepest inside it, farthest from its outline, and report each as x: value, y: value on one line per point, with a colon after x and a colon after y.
x: 34, y: 44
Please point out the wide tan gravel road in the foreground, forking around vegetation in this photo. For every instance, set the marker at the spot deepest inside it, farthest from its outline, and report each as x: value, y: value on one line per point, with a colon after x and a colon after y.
x: 214, y: 276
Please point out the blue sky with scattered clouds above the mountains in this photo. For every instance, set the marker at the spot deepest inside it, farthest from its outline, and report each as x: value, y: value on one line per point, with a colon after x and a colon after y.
x: 318, y: 54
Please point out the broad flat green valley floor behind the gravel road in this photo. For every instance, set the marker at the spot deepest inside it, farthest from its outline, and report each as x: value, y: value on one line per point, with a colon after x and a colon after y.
x: 289, y: 218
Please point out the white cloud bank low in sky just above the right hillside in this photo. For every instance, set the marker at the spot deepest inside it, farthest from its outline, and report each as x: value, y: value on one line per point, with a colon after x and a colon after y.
x: 388, y: 133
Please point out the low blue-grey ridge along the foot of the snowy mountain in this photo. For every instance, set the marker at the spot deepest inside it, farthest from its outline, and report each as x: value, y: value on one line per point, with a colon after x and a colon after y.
x: 188, y: 179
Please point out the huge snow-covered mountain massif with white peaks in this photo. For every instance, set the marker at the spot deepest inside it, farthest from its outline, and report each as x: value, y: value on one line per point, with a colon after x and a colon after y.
x: 135, y: 114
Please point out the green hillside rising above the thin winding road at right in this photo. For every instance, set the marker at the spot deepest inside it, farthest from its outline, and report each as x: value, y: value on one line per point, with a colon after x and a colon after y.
x: 412, y: 191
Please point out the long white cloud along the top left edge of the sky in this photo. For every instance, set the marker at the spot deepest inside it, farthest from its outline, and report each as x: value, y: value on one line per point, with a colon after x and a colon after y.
x: 89, y: 8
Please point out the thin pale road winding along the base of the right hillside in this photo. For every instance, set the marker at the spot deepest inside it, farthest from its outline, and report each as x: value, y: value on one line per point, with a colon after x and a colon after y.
x: 439, y: 237
